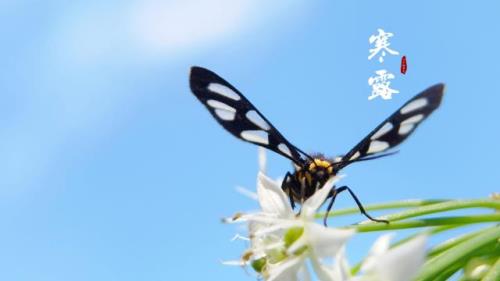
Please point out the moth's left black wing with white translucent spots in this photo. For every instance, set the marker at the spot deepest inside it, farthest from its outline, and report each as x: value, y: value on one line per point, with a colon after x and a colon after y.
x: 237, y: 115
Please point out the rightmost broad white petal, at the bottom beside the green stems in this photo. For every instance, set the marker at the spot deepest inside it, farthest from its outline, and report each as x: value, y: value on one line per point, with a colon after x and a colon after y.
x: 403, y: 262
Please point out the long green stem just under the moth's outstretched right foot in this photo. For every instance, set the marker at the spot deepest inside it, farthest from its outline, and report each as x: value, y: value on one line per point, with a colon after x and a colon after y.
x: 368, y: 227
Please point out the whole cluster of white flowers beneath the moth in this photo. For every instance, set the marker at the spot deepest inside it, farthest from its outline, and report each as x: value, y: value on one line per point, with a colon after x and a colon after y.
x: 282, y: 244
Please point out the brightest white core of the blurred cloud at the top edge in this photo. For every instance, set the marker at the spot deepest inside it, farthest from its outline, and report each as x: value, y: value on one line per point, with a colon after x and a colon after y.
x: 174, y: 26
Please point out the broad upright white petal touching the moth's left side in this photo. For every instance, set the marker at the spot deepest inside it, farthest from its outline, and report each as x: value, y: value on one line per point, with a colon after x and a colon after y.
x: 271, y: 198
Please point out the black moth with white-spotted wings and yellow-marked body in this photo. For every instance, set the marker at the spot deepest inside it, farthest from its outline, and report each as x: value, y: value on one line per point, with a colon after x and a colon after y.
x: 242, y: 119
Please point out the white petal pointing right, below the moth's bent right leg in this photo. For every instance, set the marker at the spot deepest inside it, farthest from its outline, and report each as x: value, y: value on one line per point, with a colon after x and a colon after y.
x: 324, y: 241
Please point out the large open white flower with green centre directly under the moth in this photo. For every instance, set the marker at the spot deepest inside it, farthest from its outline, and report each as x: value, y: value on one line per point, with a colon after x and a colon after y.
x: 281, y: 242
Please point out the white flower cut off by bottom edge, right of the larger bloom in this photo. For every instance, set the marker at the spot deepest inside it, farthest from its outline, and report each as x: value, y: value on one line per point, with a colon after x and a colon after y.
x: 383, y: 264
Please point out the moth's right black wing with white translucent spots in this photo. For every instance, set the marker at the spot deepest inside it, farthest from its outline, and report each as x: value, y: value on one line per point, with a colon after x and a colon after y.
x: 398, y: 126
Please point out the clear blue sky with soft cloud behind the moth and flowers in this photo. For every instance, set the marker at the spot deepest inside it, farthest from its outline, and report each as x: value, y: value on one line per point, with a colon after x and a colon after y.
x: 112, y: 170
